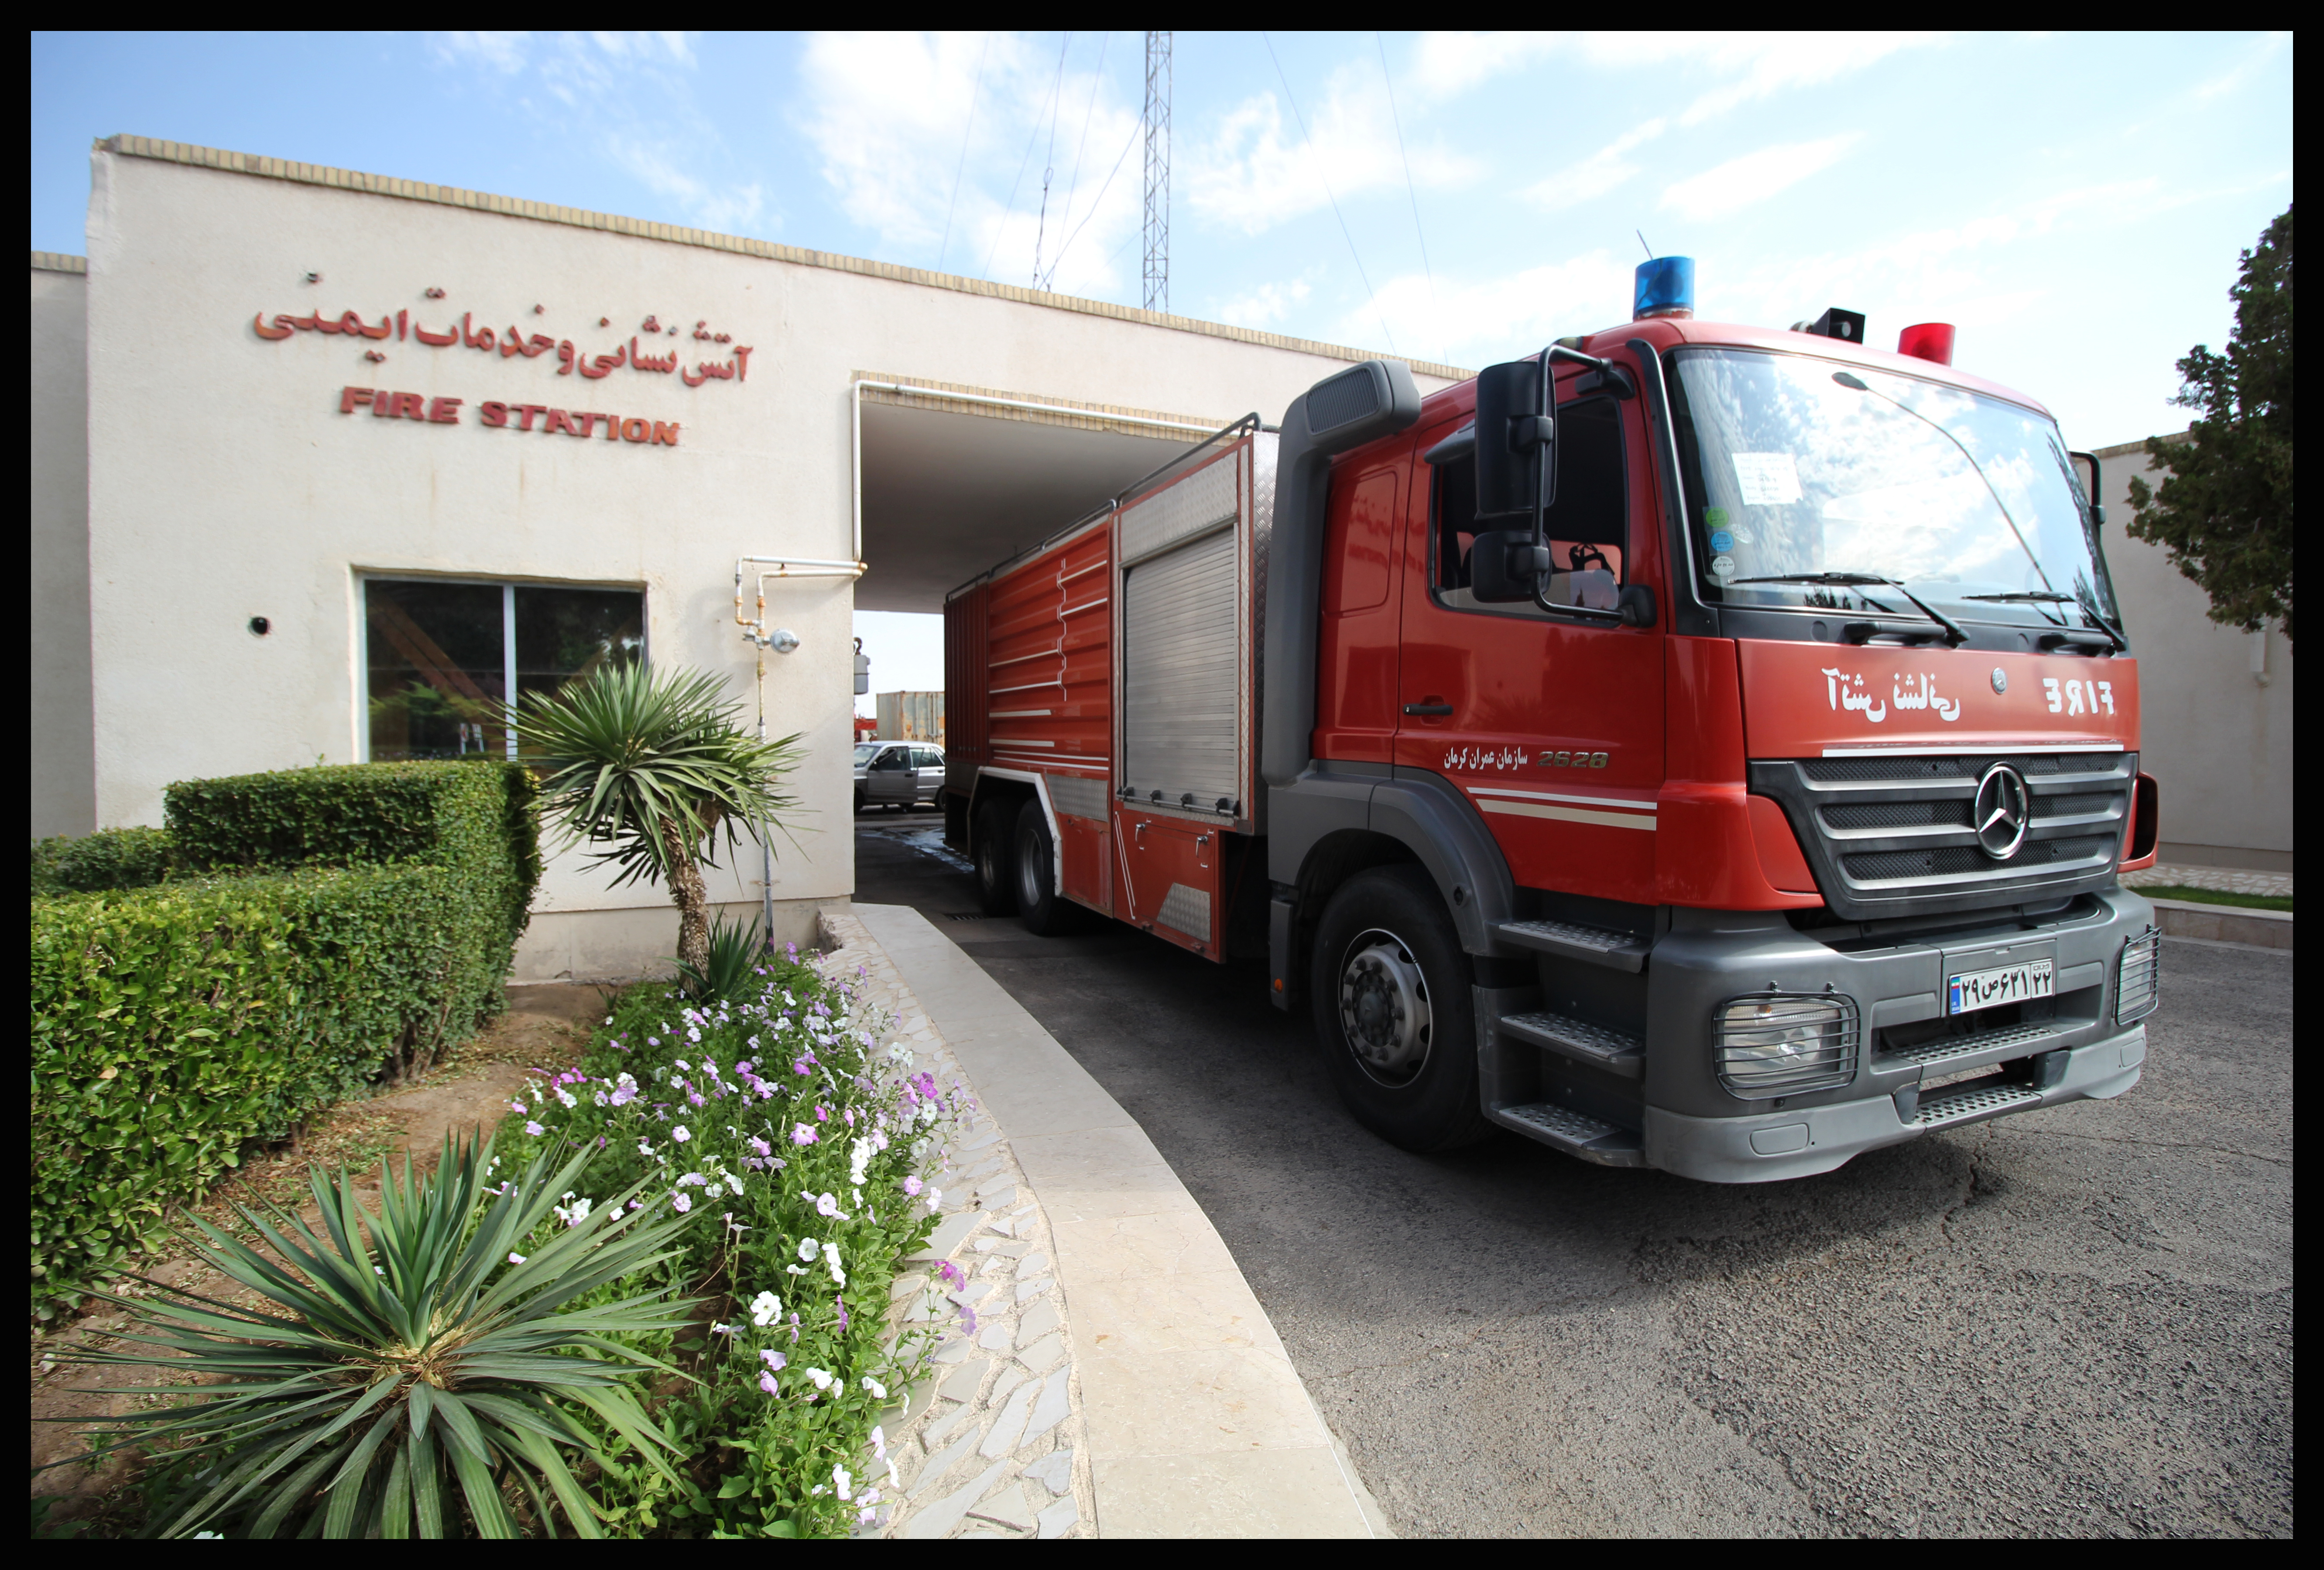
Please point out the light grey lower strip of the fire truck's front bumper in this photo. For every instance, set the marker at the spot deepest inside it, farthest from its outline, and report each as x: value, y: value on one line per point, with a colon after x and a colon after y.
x: 1800, y: 1144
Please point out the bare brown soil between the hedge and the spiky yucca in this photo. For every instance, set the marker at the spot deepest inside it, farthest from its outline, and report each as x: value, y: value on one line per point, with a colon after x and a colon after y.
x: 545, y: 1028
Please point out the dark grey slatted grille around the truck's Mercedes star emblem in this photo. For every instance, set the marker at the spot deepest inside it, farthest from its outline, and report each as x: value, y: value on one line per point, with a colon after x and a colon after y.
x: 1893, y: 835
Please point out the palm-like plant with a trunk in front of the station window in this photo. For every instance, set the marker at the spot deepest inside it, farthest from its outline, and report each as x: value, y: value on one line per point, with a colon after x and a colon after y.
x: 657, y: 768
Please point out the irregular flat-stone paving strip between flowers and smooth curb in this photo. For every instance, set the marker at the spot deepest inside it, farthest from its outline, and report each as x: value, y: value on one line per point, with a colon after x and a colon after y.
x: 989, y: 1446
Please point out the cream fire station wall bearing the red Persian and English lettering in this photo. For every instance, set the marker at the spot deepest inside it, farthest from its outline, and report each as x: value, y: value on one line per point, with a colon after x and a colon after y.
x: 227, y: 484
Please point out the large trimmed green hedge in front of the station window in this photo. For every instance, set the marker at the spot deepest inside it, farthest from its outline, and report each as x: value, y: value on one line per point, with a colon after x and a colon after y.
x: 178, y: 1023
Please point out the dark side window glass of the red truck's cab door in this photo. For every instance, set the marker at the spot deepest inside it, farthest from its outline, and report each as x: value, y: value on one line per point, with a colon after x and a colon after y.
x: 1588, y: 519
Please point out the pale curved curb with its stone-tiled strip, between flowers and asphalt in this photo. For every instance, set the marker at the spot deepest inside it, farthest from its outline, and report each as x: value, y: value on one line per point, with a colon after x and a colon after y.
x: 1184, y: 1413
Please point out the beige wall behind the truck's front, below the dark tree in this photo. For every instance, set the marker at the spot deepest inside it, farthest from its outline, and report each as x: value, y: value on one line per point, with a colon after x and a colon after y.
x: 2216, y: 705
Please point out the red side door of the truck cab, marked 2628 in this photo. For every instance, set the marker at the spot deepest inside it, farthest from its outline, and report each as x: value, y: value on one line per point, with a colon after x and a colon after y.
x: 1551, y: 728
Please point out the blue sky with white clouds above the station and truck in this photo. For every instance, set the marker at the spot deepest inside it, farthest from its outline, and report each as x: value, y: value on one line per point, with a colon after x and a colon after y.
x: 2072, y: 203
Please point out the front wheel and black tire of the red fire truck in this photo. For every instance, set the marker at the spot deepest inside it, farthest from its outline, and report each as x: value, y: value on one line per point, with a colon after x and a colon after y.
x: 1389, y: 986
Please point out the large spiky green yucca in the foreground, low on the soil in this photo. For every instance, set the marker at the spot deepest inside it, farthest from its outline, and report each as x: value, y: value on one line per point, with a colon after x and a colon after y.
x: 403, y: 1364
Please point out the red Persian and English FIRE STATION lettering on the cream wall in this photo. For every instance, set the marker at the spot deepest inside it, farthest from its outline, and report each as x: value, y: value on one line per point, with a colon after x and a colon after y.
x: 510, y: 345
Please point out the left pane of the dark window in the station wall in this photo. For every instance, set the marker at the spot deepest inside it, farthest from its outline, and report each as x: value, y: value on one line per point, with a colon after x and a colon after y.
x: 436, y: 670
